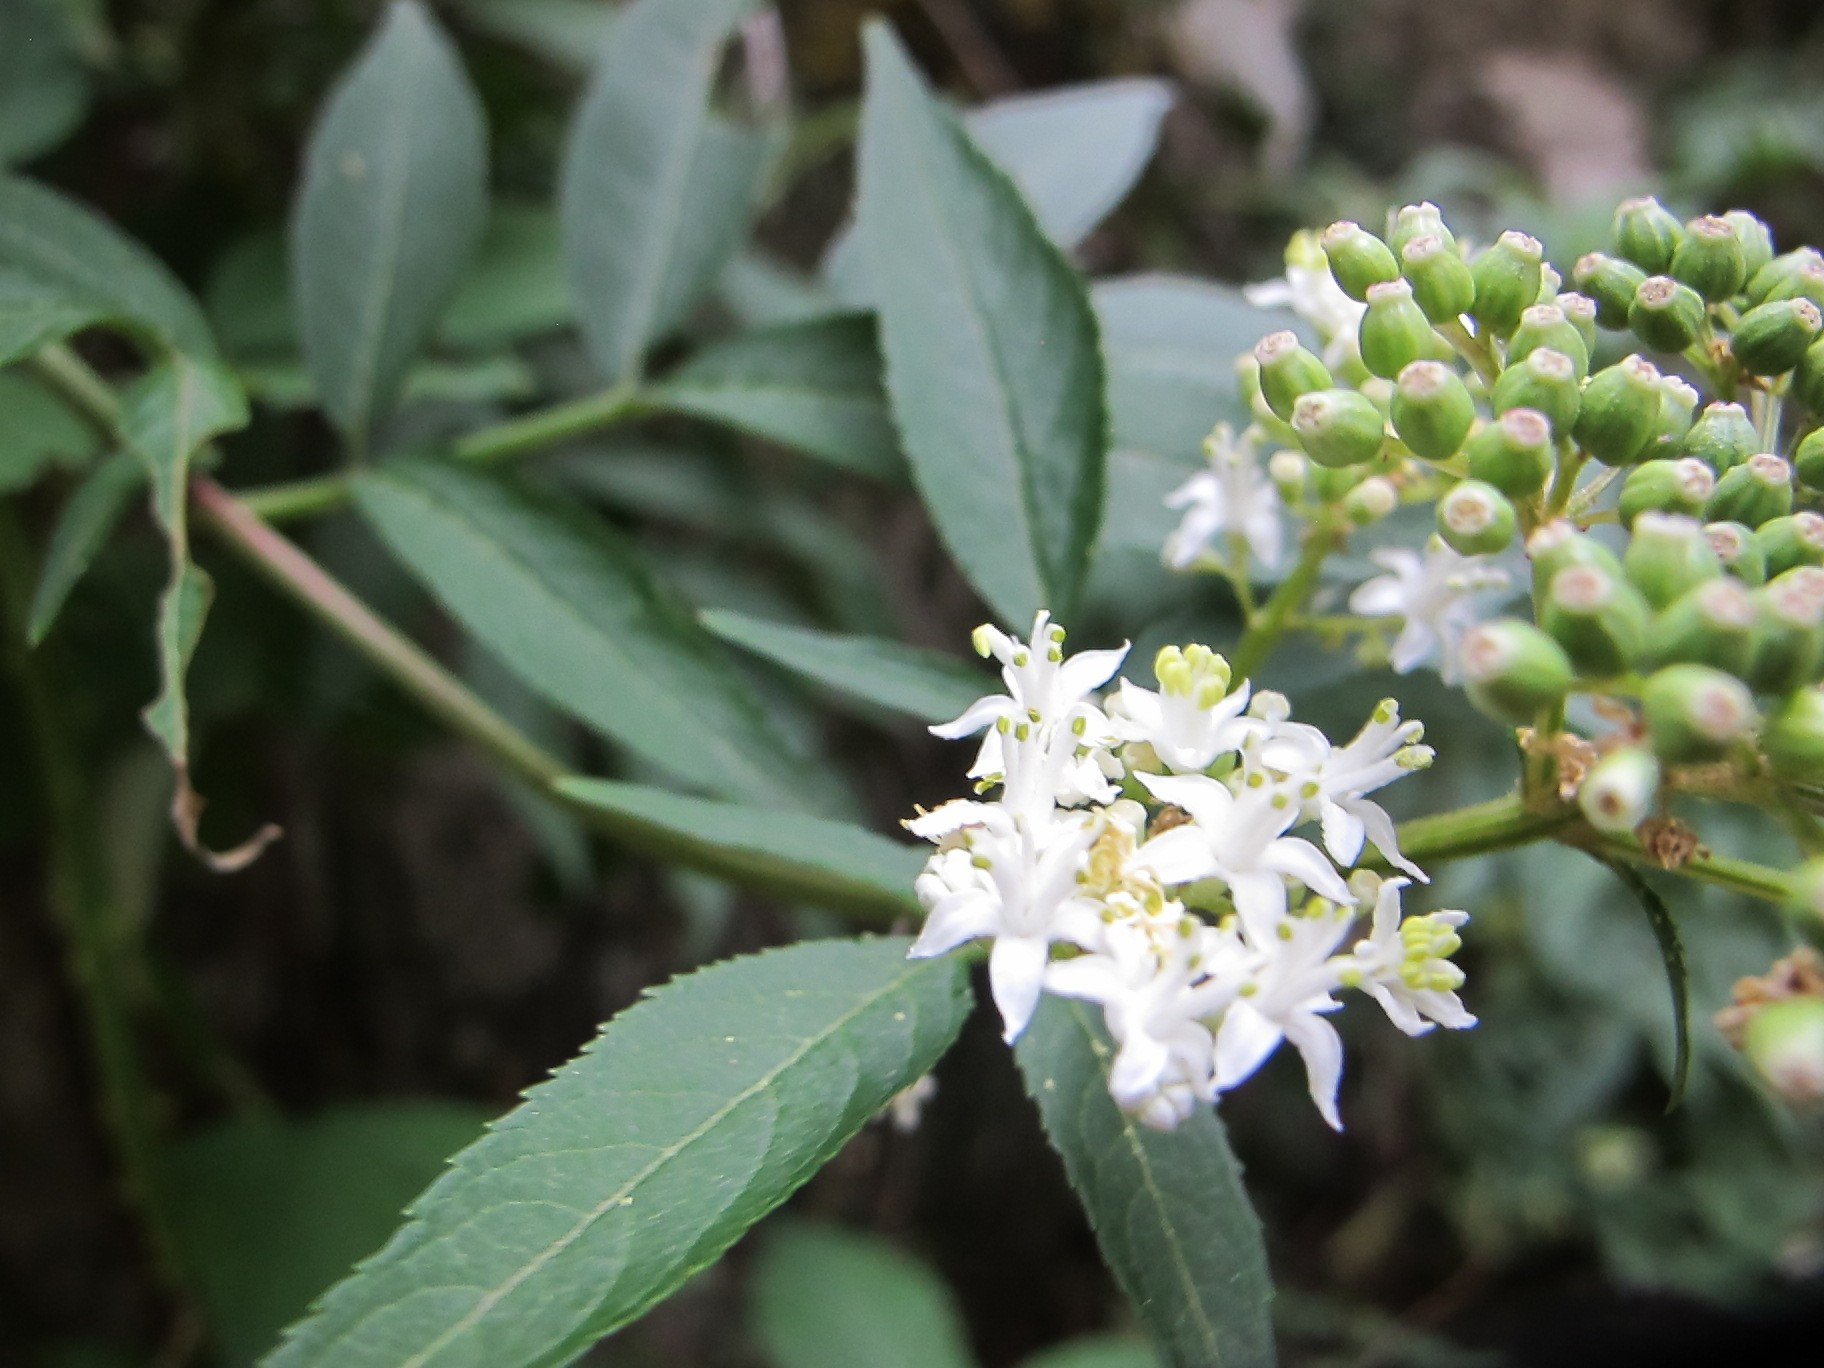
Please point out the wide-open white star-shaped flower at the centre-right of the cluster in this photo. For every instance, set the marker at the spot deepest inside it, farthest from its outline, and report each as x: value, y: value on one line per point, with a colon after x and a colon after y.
x: 1241, y: 842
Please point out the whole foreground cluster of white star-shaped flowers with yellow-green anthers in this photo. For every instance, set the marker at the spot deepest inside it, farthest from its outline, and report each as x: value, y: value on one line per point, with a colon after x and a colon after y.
x: 1135, y: 851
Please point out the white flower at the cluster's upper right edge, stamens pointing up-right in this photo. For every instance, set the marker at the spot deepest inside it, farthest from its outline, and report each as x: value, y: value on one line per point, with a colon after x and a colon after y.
x: 1332, y: 782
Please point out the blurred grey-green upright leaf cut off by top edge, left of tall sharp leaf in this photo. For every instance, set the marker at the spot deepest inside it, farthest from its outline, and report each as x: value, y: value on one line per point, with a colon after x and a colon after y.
x: 656, y: 191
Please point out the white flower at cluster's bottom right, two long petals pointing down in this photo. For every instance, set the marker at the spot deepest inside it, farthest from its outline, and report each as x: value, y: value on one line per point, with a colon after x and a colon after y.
x: 1289, y: 1002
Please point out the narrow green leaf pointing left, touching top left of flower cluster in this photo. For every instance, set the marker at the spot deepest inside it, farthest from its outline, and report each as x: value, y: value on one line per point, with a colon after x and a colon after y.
x: 889, y: 674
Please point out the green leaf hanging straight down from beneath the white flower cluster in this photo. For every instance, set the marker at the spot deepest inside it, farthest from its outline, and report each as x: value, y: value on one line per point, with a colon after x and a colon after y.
x: 1168, y: 1207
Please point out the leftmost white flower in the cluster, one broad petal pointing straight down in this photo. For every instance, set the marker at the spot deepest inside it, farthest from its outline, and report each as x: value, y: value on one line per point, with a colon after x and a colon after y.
x: 1017, y: 880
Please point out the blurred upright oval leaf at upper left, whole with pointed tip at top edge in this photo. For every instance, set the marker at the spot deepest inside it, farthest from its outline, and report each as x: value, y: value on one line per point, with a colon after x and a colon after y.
x: 389, y: 212
